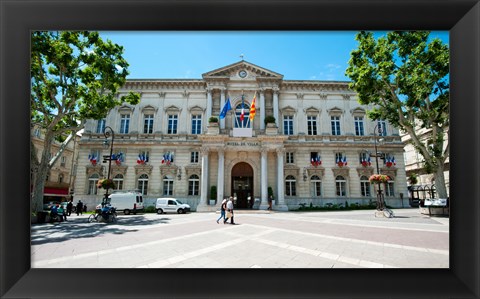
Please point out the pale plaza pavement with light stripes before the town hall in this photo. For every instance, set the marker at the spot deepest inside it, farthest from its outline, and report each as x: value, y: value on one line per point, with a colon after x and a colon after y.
x: 261, y: 239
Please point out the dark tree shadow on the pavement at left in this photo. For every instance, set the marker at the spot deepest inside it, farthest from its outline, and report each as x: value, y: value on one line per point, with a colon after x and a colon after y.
x: 75, y: 228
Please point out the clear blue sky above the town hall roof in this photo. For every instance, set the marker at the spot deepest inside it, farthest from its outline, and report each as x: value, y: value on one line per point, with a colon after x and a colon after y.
x: 298, y: 55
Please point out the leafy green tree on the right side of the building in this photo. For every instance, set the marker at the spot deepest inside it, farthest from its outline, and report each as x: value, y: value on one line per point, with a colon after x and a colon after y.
x: 404, y: 75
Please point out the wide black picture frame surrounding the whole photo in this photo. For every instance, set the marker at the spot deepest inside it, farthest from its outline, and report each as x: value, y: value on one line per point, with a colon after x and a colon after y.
x: 18, y: 18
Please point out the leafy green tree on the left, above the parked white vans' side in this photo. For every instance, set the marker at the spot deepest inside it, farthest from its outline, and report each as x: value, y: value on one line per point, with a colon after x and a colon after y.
x: 75, y: 76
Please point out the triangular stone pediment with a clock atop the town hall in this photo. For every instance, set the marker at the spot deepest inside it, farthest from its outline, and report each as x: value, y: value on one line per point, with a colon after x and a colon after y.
x: 233, y: 71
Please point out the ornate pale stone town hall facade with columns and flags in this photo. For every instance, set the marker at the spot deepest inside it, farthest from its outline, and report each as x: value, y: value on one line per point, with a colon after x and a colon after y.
x: 168, y: 147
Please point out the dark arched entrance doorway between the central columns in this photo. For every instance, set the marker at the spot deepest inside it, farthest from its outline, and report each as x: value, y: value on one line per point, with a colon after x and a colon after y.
x: 242, y: 185
